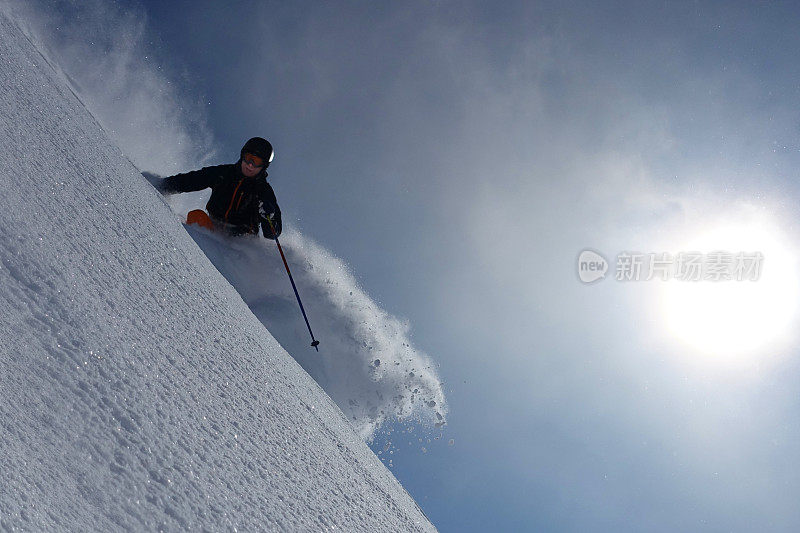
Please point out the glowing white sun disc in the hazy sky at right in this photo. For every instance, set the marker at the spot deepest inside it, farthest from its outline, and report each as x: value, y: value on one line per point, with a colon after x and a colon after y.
x: 733, y: 318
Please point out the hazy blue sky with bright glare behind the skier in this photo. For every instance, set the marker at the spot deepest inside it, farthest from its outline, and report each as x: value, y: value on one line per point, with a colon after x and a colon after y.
x: 458, y: 156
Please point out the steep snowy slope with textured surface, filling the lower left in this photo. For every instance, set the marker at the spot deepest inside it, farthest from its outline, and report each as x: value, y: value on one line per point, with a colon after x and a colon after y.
x: 137, y: 389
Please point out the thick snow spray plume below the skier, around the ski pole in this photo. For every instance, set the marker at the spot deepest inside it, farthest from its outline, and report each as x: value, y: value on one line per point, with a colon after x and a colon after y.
x: 367, y: 364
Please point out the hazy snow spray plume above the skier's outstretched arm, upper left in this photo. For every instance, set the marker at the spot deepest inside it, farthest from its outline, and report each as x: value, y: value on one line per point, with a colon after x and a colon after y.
x: 106, y: 56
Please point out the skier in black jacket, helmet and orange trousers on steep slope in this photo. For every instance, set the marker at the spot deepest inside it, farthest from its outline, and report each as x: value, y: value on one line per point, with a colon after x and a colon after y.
x: 241, y: 199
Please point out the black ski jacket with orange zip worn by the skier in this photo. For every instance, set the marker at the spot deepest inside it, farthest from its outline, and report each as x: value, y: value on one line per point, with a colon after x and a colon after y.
x: 238, y: 203
